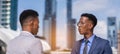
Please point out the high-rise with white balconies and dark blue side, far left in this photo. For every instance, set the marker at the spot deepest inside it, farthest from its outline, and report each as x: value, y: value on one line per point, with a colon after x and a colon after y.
x: 8, y: 14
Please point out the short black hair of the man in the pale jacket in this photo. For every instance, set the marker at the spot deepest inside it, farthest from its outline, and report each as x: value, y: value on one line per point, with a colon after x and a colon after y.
x: 26, y: 14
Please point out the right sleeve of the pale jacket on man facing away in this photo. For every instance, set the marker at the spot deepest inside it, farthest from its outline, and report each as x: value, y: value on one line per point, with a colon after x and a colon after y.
x: 36, y: 48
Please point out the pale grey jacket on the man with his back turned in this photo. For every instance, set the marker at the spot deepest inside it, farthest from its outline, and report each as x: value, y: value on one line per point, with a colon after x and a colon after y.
x: 25, y: 43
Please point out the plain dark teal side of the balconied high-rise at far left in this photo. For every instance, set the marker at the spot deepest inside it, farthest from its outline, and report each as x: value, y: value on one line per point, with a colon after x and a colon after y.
x: 13, y: 14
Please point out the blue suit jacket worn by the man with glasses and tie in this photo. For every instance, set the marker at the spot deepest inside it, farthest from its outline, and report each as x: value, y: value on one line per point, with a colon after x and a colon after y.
x: 99, y: 46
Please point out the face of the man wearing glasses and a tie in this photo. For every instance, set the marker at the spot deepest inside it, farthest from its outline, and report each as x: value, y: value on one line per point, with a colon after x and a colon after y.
x: 84, y: 25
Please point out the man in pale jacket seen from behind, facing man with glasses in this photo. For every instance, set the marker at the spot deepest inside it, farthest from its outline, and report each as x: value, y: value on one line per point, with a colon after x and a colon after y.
x: 26, y: 43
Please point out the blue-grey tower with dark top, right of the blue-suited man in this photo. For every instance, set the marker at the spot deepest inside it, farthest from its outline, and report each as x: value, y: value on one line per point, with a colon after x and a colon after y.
x: 112, y: 31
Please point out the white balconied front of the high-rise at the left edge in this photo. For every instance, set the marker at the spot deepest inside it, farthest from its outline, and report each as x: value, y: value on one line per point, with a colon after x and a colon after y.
x: 5, y: 13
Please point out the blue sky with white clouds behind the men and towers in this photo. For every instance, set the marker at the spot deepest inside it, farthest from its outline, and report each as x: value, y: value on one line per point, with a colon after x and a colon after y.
x: 100, y: 8
